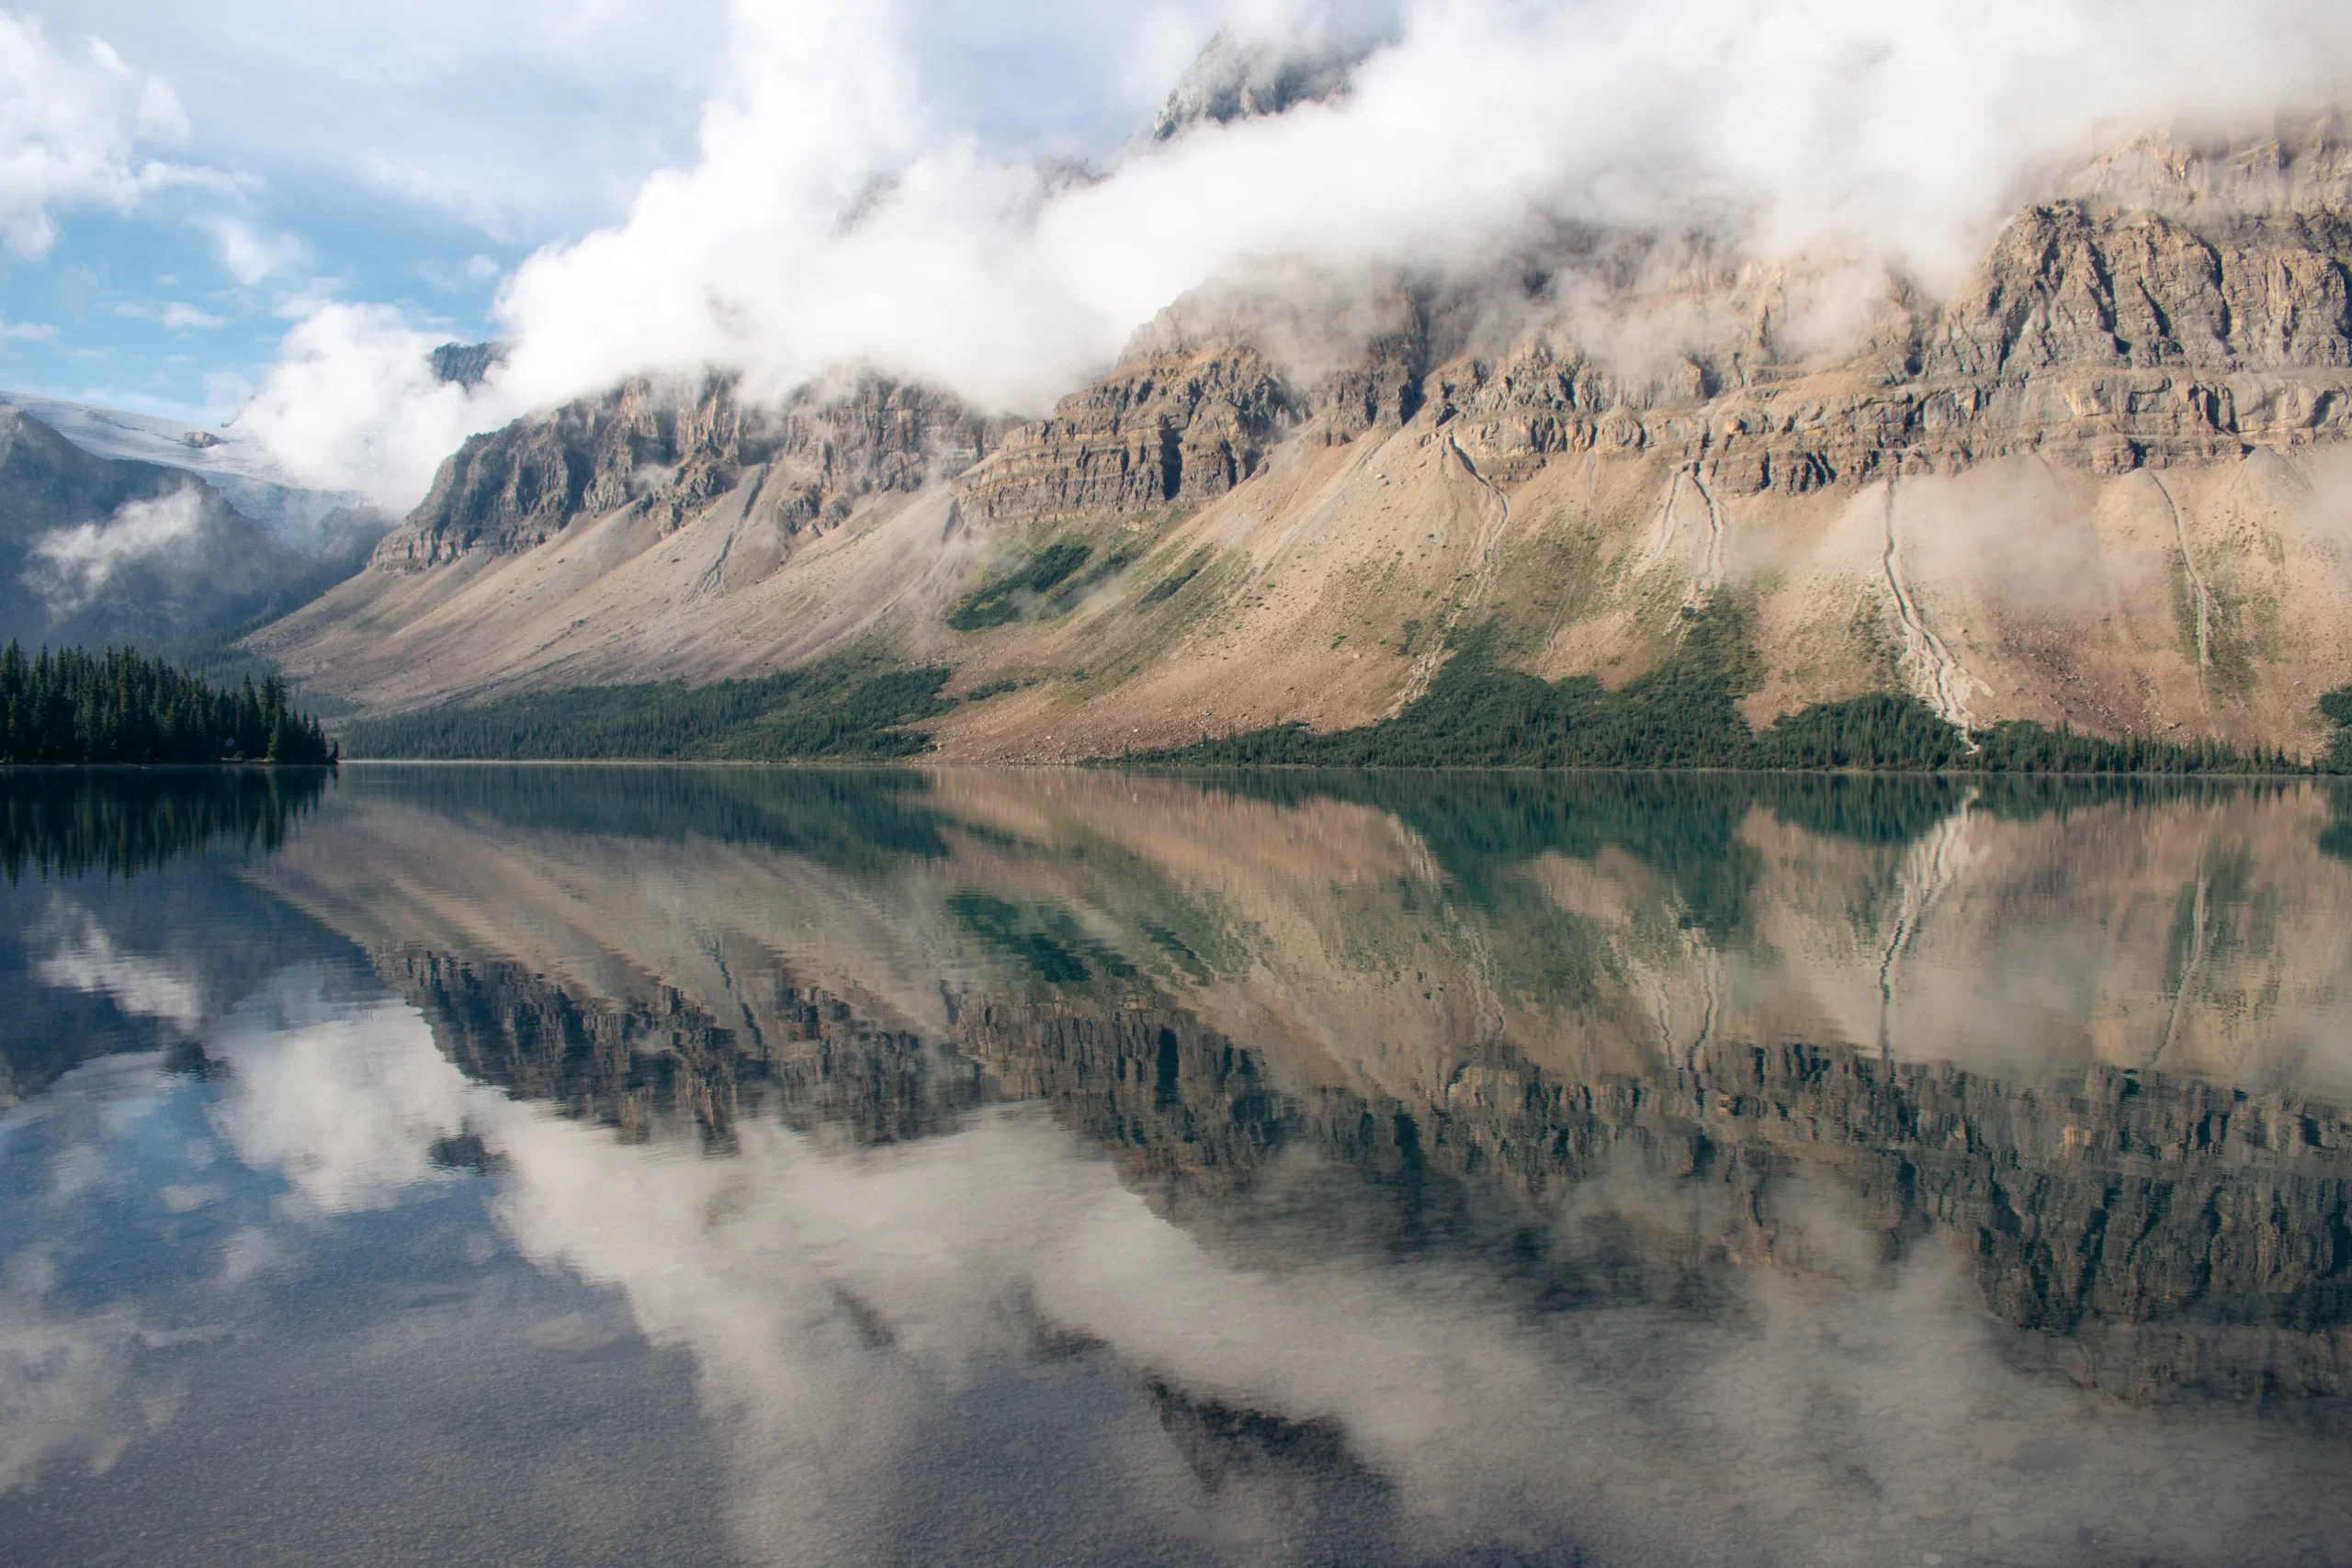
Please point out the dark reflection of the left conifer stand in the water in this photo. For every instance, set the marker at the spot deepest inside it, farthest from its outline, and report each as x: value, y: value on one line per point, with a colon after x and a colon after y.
x: 74, y: 822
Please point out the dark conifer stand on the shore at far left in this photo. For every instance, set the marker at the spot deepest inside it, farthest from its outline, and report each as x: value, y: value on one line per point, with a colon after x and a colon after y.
x: 119, y: 706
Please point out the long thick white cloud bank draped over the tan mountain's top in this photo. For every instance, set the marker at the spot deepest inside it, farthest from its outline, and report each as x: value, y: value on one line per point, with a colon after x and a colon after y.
x: 836, y: 217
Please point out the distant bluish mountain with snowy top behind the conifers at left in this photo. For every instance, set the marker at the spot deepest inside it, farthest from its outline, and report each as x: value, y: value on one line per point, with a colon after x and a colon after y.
x: 107, y: 549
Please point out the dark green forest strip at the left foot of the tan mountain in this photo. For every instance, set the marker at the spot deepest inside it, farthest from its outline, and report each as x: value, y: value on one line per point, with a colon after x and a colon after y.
x: 848, y: 709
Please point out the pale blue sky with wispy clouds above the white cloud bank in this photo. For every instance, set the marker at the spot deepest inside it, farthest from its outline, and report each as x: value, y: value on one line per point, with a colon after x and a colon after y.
x: 413, y: 156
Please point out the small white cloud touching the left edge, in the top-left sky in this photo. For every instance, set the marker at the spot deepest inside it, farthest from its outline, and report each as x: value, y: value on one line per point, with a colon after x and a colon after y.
x: 72, y: 133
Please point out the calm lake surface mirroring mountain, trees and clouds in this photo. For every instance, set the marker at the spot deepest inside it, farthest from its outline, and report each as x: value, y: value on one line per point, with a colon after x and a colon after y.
x: 994, y: 1167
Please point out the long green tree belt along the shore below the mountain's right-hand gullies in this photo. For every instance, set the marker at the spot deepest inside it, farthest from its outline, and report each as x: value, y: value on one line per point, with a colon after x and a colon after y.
x: 1685, y: 713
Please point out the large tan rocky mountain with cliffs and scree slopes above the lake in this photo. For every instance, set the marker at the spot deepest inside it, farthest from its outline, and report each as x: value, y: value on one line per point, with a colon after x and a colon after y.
x: 2094, y: 483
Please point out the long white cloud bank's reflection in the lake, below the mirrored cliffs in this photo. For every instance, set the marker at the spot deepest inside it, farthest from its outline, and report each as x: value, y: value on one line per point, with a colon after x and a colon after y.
x: 850, y: 1308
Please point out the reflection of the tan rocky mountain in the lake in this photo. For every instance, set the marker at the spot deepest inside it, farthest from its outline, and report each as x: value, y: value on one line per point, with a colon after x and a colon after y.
x: 2087, y: 1047
